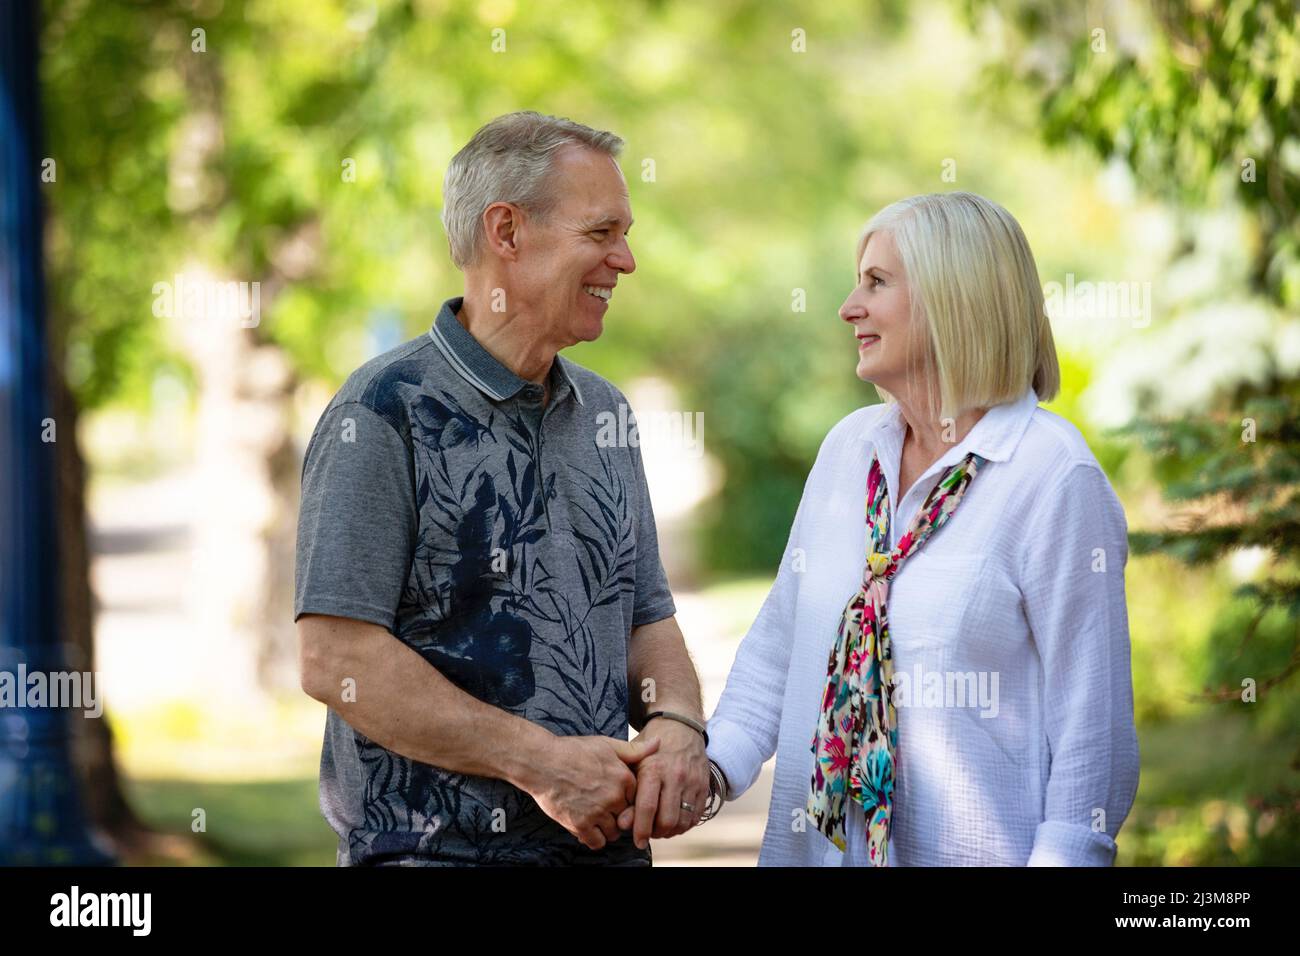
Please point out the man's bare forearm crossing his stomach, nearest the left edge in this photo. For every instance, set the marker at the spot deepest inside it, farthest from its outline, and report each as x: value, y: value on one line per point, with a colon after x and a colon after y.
x: 408, y: 707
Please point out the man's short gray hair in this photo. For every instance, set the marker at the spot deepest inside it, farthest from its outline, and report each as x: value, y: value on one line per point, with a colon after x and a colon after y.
x: 509, y: 162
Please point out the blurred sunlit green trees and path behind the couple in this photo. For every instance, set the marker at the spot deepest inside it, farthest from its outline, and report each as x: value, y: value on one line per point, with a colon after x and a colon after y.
x: 302, y: 144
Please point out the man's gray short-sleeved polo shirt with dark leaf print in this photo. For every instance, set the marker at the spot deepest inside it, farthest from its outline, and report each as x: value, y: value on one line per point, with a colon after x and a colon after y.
x: 513, y: 547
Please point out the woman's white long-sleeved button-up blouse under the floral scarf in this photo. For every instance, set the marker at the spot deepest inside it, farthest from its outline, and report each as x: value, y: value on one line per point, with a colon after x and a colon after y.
x: 1011, y: 639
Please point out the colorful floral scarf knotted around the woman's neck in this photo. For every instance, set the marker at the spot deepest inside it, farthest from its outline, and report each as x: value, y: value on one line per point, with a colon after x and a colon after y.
x: 857, y: 733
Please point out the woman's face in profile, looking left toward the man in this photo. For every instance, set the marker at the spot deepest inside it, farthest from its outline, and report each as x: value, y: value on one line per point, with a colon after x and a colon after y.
x: 879, y: 309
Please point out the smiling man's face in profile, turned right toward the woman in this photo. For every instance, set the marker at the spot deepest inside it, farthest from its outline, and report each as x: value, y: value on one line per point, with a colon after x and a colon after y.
x: 582, y: 245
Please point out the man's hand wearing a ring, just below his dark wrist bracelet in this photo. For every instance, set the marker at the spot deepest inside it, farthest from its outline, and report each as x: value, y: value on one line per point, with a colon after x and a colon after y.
x: 677, y: 775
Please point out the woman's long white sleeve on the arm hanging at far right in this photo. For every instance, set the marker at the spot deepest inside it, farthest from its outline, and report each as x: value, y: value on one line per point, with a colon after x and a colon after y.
x: 1073, y: 586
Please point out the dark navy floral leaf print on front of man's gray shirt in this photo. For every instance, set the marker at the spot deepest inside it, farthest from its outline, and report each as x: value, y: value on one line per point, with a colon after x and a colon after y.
x: 487, y: 595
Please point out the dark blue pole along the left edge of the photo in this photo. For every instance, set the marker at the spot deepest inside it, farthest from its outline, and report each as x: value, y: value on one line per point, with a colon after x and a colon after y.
x: 41, y: 812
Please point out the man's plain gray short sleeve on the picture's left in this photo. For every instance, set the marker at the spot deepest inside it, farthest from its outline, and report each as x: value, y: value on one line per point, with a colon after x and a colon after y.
x: 357, y: 525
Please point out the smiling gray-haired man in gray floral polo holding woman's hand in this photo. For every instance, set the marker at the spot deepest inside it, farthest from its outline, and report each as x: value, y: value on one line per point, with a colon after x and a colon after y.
x: 456, y: 498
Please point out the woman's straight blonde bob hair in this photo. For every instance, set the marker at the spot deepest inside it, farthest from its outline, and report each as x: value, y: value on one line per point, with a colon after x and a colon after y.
x: 977, y: 304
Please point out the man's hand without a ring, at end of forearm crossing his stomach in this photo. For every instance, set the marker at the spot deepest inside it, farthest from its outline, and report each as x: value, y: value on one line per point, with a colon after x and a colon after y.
x: 583, y: 784
